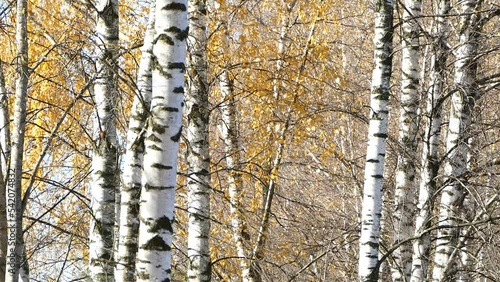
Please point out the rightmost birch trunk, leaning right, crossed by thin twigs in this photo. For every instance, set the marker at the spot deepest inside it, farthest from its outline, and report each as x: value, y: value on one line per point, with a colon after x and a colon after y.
x: 462, y: 104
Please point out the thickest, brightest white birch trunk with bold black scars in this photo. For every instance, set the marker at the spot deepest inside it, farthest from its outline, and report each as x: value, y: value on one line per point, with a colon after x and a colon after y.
x: 162, y: 142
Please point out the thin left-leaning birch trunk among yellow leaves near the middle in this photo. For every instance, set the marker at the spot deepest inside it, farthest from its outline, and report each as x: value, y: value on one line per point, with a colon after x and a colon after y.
x: 229, y: 133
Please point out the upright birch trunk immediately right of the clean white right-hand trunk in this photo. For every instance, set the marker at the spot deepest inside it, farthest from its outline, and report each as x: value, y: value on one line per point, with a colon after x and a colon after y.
x: 408, y: 129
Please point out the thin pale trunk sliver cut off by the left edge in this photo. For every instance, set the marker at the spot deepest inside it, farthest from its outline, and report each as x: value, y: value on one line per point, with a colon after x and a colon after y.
x: 4, y: 157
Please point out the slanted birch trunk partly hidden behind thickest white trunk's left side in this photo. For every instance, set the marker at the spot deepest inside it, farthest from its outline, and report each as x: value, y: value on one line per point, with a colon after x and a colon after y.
x: 133, y: 161
